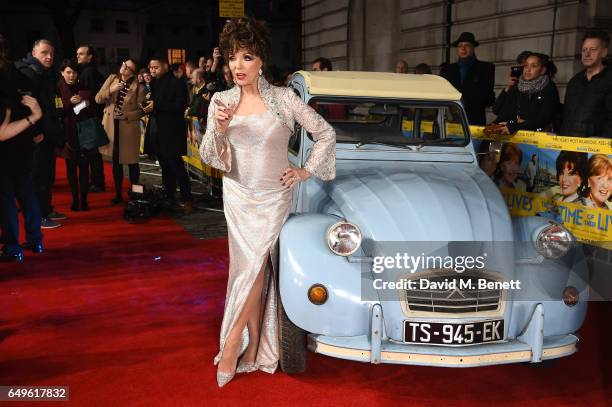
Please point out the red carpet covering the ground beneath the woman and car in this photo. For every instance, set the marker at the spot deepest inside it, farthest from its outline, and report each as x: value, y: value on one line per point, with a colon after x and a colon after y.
x: 129, y: 315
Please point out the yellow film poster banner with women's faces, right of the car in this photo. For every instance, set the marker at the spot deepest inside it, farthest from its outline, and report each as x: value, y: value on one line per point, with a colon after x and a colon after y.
x: 540, y: 173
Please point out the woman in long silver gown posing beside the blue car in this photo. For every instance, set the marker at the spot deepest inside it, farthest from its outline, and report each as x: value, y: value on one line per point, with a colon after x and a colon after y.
x: 247, y: 134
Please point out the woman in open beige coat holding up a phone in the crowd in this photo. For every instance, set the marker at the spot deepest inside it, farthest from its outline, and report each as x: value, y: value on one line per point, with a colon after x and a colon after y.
x: 122, y: 96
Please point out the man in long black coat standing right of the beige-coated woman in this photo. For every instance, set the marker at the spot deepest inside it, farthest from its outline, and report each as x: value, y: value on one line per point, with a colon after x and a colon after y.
x: 167, y: 133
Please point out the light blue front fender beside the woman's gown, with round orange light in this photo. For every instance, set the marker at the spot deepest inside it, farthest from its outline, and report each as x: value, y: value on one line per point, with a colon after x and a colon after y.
x: 304, y: 260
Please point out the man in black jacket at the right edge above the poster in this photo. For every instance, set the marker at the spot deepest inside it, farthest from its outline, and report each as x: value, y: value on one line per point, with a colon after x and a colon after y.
x: 588, y: 98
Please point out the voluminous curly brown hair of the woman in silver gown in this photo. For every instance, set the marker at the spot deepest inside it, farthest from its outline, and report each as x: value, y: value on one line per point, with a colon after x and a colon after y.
x: 245, y: 33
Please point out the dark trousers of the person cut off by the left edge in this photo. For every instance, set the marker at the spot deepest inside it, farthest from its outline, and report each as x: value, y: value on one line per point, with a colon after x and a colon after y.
x: 18, y: 187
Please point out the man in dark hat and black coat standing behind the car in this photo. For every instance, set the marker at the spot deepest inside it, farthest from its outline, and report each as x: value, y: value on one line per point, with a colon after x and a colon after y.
x: 473, y: 78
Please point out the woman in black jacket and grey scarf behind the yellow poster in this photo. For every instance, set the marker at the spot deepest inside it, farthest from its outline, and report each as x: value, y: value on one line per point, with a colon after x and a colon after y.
x: 533, y: 103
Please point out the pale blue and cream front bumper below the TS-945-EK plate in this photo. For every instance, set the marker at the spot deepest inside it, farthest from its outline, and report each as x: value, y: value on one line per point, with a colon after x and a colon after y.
x: 529, y: 347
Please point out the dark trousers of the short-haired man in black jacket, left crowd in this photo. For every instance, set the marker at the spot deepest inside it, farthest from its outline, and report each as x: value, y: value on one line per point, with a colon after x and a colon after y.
x: 43, y: 176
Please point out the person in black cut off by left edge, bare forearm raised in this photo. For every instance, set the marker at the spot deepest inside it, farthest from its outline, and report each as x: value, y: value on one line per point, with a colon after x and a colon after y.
x: 18, y: 135
